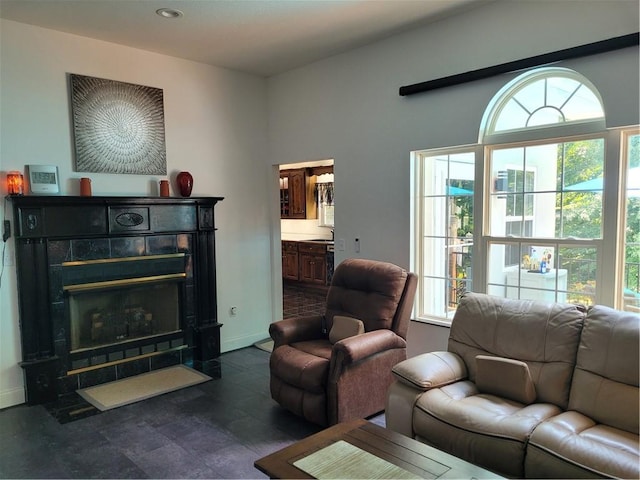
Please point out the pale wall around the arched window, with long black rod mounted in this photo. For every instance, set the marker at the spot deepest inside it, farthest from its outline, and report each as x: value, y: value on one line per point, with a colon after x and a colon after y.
x: 348, y: 108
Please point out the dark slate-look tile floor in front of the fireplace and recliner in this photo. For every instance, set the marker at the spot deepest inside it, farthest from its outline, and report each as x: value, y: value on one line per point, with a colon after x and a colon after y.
x: 213, y: 430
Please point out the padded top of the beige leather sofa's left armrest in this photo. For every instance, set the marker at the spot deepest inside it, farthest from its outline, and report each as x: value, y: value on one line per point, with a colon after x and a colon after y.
x: 431, y: 370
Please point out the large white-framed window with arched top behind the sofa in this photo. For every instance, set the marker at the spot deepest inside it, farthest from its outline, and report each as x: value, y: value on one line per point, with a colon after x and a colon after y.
x: 545, y: 226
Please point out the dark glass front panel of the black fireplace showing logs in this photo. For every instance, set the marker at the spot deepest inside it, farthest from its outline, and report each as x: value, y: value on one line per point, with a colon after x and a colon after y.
x: 106, y: 317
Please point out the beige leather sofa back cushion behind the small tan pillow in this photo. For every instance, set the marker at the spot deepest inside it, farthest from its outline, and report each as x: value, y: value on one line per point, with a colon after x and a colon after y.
x: 543, y: 335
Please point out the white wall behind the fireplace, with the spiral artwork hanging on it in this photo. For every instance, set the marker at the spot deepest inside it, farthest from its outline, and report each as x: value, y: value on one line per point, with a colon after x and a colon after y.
x: 215, y: 123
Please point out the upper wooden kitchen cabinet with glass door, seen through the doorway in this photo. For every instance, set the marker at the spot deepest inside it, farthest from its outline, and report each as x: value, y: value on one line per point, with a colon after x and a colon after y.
x: 297, y: 195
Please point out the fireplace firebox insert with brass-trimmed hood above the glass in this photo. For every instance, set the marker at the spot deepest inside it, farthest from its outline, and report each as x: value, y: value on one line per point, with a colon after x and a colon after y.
x: 134, y: 299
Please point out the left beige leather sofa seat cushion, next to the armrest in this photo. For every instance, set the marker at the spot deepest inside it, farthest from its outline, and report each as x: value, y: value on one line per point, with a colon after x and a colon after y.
x: 483, y: 429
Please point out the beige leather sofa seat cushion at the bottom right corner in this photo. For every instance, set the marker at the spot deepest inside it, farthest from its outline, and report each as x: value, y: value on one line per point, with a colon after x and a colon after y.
x: 578, y: 441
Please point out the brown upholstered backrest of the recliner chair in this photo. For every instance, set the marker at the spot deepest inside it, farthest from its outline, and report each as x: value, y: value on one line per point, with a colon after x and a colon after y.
x: 378, y: 293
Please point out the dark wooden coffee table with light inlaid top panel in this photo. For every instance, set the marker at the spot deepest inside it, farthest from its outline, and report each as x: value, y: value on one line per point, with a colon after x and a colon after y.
x: 391, y: 448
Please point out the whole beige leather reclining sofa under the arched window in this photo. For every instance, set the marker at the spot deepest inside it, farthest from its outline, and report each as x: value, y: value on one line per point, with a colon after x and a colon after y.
x: 528, y: 389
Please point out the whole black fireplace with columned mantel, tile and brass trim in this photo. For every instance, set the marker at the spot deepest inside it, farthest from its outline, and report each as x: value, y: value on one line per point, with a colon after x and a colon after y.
x: 110, y: 287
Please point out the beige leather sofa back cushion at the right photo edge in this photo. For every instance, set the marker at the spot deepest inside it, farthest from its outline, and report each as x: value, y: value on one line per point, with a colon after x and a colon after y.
x: 605, y: 382
